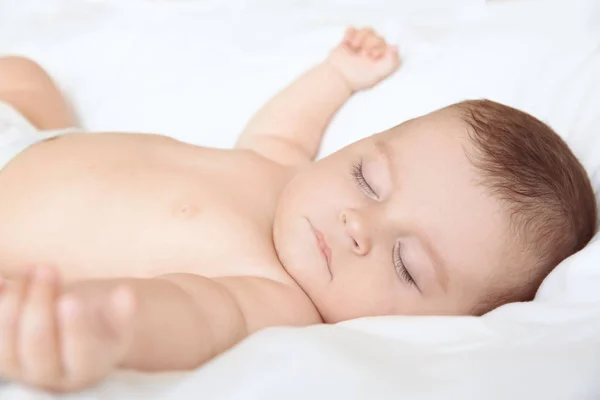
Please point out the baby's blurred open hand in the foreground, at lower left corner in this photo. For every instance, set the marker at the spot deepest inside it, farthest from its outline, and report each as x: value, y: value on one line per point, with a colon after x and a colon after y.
x: 61, y: 342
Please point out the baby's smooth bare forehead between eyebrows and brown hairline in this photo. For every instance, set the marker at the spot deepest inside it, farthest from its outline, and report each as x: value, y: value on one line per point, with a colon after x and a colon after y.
x: 438, y: 194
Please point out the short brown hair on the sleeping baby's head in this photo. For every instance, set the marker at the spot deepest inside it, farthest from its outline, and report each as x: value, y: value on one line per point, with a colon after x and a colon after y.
x: 546, y: 190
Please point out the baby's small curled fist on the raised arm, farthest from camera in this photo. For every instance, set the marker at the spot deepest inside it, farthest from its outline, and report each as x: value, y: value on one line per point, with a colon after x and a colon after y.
x: 364, y: 58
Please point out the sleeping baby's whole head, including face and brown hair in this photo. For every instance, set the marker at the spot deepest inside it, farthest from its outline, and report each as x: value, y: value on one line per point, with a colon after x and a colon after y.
x: 455, y: 212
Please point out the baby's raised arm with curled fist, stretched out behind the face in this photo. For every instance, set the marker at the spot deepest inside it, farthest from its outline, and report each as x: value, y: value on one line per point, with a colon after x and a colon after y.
x: 289, y: 128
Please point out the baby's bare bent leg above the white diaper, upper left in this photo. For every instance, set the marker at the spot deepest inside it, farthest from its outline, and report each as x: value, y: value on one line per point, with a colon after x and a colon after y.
x: 28, y: 88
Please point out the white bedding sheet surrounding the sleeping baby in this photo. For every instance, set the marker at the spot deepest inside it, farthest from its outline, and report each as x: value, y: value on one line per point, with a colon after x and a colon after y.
x: 197, y: 70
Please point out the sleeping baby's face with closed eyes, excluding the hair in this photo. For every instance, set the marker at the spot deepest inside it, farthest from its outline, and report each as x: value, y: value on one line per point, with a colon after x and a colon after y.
x: 404, y: 226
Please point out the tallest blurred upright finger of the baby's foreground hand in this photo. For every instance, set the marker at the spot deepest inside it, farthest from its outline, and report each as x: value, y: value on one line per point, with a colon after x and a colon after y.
x: 38, y: 346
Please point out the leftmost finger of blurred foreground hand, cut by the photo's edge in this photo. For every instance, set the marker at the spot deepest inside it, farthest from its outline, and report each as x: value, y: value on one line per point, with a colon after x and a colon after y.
x: 11, y: 299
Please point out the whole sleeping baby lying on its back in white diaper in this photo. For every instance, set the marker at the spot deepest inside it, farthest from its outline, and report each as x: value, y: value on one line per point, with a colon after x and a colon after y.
x: 139, y: 251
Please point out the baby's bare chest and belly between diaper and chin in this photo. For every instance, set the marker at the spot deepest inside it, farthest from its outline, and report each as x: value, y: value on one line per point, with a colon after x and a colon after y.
x: 111, y: 205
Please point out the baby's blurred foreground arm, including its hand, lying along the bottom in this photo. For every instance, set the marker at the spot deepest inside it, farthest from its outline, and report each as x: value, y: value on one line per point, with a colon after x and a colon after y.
x: 68, y: 341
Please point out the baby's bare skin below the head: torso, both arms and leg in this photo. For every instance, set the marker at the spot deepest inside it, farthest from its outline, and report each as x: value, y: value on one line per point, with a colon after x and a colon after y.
x: 149, y: 253
